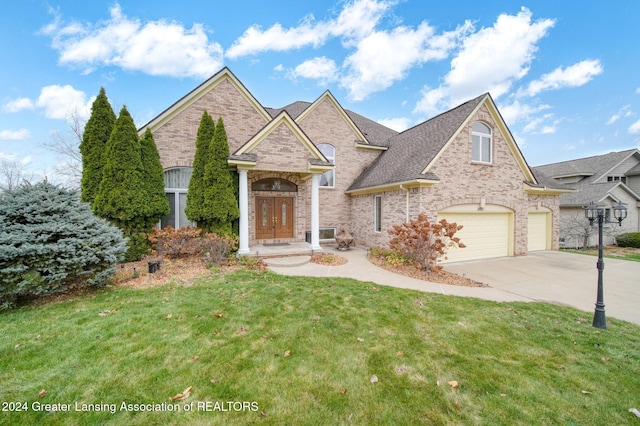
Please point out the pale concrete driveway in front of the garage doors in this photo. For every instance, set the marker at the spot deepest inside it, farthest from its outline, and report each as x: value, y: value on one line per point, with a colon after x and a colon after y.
x: 562, y: 278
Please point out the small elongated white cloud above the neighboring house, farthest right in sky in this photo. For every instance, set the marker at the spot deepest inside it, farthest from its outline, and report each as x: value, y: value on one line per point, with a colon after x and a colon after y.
x: 575, y: 75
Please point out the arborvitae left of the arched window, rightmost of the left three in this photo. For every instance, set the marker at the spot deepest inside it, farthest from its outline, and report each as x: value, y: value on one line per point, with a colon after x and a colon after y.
x: 157, y: 204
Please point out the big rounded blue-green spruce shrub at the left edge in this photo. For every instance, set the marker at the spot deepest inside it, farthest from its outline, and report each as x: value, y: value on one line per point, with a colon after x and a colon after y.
x: 50, y: 242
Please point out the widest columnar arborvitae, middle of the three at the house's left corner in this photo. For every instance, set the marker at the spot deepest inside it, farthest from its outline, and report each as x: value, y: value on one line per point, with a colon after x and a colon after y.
x: 121, y: 198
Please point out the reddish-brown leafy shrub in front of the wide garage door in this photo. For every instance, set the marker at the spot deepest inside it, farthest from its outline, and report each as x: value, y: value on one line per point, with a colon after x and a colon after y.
x: 424, y: 242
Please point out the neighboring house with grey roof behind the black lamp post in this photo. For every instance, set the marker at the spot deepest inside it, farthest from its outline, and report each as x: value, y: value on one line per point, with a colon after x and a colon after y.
x: 604, y: 179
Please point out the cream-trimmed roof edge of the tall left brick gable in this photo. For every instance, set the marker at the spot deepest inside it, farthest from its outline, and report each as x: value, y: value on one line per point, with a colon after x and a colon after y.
x: 183, y: 103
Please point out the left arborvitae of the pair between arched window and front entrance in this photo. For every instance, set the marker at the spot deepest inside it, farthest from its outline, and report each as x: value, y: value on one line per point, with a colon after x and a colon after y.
x: 195, y: 197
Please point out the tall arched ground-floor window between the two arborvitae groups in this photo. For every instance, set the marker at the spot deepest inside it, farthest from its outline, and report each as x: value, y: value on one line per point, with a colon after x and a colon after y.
x: 176, y: 183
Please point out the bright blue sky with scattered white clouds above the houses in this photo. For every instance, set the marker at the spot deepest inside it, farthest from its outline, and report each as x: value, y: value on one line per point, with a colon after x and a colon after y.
x: 565, y: 74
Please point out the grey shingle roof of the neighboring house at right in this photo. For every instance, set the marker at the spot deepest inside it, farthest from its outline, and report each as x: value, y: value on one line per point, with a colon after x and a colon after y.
x: 594, y: 170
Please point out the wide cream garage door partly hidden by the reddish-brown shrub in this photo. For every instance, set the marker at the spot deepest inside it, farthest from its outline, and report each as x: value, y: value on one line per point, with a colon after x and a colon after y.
x: 485, y: 235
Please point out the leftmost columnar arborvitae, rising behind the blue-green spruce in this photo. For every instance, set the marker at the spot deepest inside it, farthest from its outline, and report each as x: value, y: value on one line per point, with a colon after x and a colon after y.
x: 94, y: 140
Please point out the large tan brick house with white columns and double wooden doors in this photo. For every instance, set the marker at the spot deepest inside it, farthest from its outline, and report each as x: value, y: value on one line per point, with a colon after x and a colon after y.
x: 308, y: 169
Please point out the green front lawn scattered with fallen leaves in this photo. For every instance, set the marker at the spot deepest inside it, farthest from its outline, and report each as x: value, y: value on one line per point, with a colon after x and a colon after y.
x: 303, y: 351
